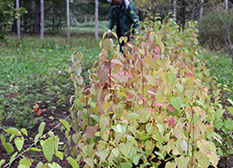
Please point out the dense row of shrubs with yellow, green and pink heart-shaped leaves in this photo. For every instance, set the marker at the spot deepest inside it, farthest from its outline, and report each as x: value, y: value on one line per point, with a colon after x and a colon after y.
x: 148, y: 107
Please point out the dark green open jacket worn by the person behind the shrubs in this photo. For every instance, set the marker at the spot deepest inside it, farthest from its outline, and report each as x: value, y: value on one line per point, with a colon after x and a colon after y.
x: 128, y: 17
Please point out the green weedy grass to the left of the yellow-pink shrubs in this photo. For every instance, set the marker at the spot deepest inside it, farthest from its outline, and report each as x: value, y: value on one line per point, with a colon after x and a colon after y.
x: 35, y: 72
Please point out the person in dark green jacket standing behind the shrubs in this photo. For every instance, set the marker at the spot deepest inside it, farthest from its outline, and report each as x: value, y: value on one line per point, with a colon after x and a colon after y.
x: 123, y: 14
